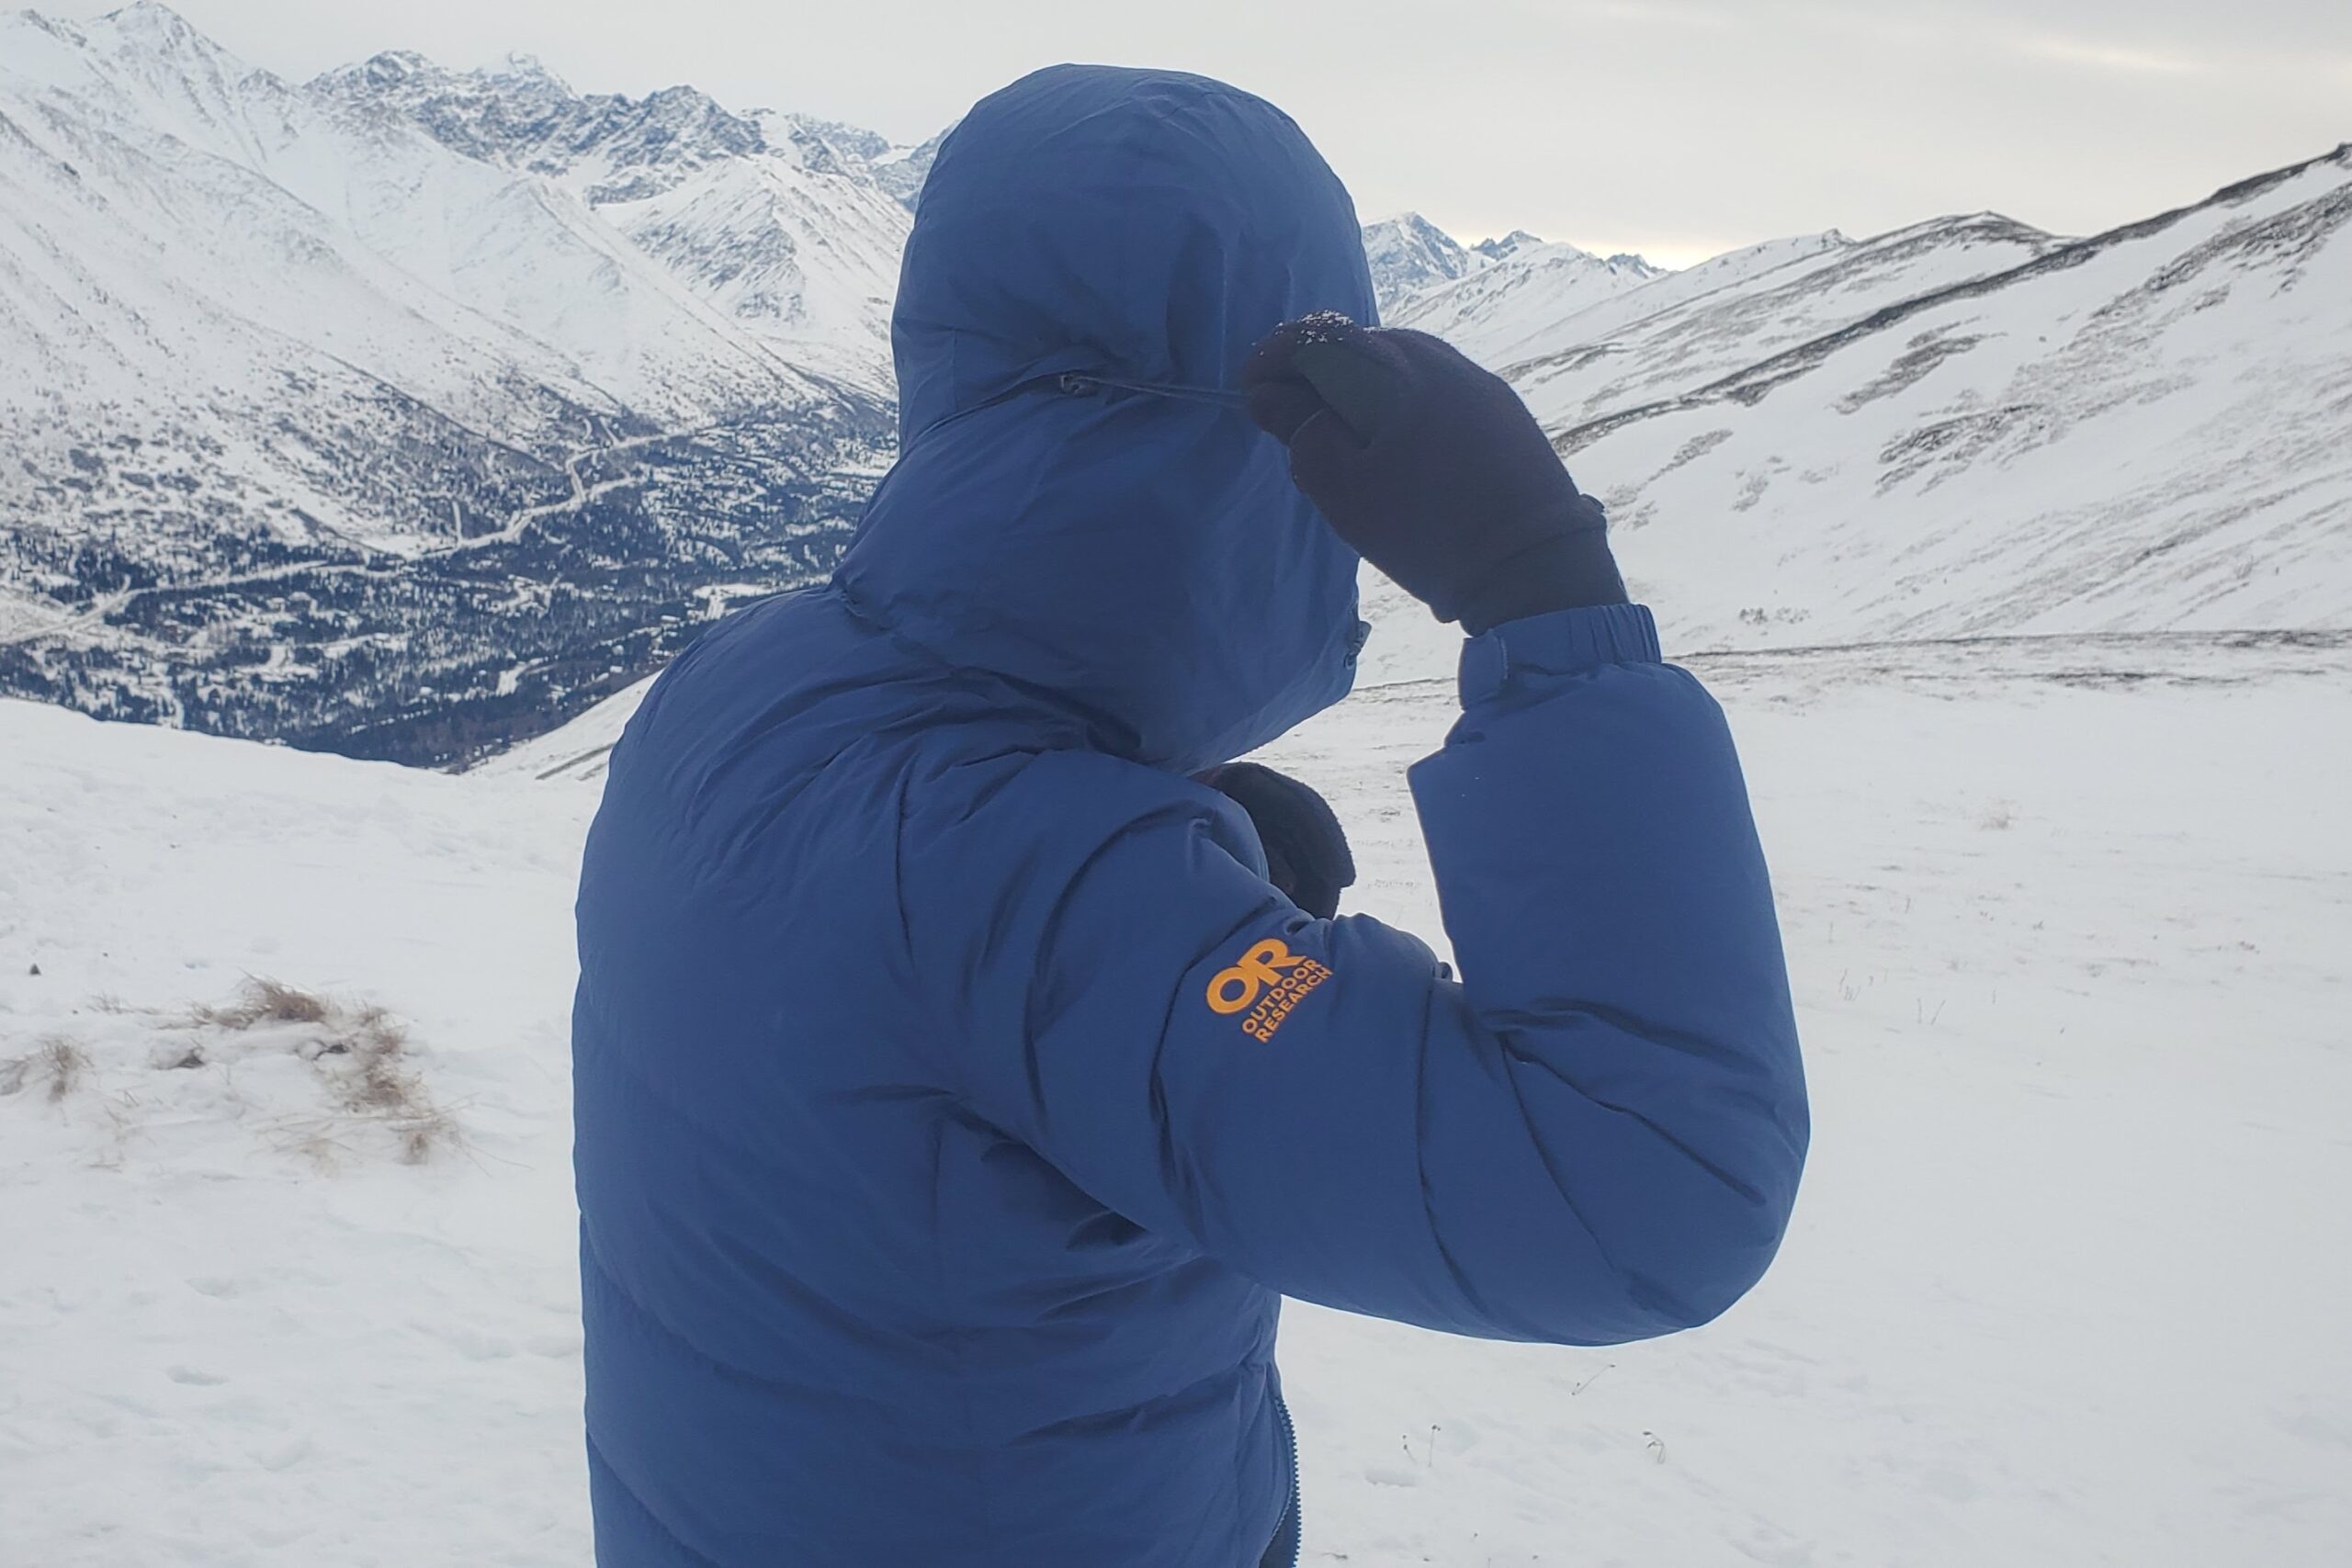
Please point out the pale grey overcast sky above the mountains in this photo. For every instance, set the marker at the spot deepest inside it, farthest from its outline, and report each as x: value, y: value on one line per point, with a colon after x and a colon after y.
x: 1676, y: 128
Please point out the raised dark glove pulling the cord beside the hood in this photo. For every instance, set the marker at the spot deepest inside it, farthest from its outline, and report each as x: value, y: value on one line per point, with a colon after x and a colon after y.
x: 1434, y: 471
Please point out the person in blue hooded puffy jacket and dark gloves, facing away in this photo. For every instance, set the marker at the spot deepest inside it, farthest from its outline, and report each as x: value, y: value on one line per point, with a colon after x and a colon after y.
x: 958, y: 1094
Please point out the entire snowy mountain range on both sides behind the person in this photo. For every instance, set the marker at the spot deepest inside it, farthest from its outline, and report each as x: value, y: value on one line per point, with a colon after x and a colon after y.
x: 410, y: 413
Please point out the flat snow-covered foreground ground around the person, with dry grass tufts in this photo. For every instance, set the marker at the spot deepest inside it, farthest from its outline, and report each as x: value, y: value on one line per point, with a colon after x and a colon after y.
x: 2073, y: 939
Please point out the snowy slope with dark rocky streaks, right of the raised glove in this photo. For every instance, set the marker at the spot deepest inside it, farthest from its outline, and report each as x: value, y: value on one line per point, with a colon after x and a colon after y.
x: 1970, y: 429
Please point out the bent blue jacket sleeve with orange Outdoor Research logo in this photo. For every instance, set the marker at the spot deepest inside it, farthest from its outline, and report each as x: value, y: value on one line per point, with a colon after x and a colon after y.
x: 1593, y: 1137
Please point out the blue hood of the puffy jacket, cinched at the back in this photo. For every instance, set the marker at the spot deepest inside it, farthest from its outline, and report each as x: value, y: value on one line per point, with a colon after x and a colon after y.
x: 1140, y: 558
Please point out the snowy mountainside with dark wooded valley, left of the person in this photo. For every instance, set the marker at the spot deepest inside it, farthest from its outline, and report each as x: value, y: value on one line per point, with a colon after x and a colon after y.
x: 408, y: 410
